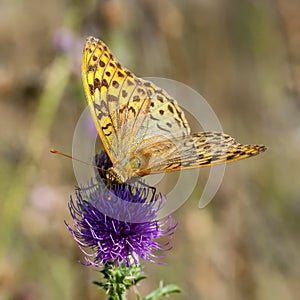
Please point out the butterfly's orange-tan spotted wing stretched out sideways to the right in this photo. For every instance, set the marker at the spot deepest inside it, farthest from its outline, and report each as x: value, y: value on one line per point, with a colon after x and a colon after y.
x: 195, y: 151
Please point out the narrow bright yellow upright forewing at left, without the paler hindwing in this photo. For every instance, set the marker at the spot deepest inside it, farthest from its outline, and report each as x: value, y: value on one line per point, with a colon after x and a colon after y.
x: 111, y: 92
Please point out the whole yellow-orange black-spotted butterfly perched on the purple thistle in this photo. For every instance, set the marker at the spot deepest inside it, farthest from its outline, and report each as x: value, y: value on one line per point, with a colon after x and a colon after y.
x: 142, y: 128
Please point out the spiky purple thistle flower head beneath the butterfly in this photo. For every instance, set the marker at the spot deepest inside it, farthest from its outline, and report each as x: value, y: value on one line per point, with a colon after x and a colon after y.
x: 117, y: 223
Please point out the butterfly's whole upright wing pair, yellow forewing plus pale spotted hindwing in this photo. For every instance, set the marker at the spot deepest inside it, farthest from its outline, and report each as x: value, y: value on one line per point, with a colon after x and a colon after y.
x: 127, y: 110
